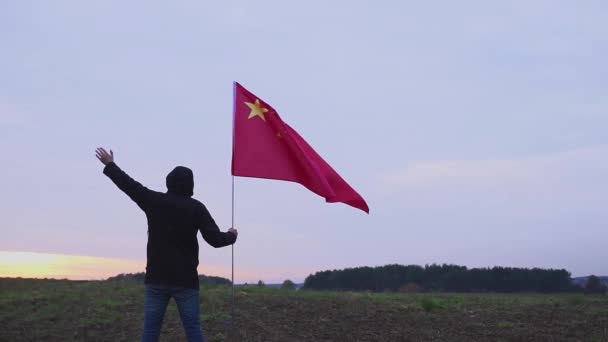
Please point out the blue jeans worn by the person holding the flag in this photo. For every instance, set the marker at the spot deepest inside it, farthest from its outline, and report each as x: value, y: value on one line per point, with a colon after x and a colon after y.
x: 156, y: 300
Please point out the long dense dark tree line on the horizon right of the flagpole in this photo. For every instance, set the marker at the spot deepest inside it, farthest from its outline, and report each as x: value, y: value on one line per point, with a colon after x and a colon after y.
x: 451, y: 278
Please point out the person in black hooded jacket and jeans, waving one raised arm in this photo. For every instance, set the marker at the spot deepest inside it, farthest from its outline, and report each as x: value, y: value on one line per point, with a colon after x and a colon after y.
x: 174, y: 219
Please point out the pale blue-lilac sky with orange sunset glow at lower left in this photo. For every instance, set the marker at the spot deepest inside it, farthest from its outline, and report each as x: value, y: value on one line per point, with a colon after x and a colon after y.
x: 475, y: 130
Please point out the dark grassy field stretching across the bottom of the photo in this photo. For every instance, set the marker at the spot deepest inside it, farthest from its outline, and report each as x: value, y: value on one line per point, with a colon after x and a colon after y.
x: 55, y: 310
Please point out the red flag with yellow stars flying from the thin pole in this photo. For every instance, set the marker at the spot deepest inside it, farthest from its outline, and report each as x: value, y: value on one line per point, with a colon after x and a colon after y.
x: 264, y: 146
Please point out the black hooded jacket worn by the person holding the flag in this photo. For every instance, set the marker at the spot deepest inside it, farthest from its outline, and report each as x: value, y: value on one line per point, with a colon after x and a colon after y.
x: 174, y: 219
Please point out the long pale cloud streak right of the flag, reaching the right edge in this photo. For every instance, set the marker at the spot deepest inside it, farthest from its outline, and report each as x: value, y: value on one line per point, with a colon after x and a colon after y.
x: 581, y: 166
